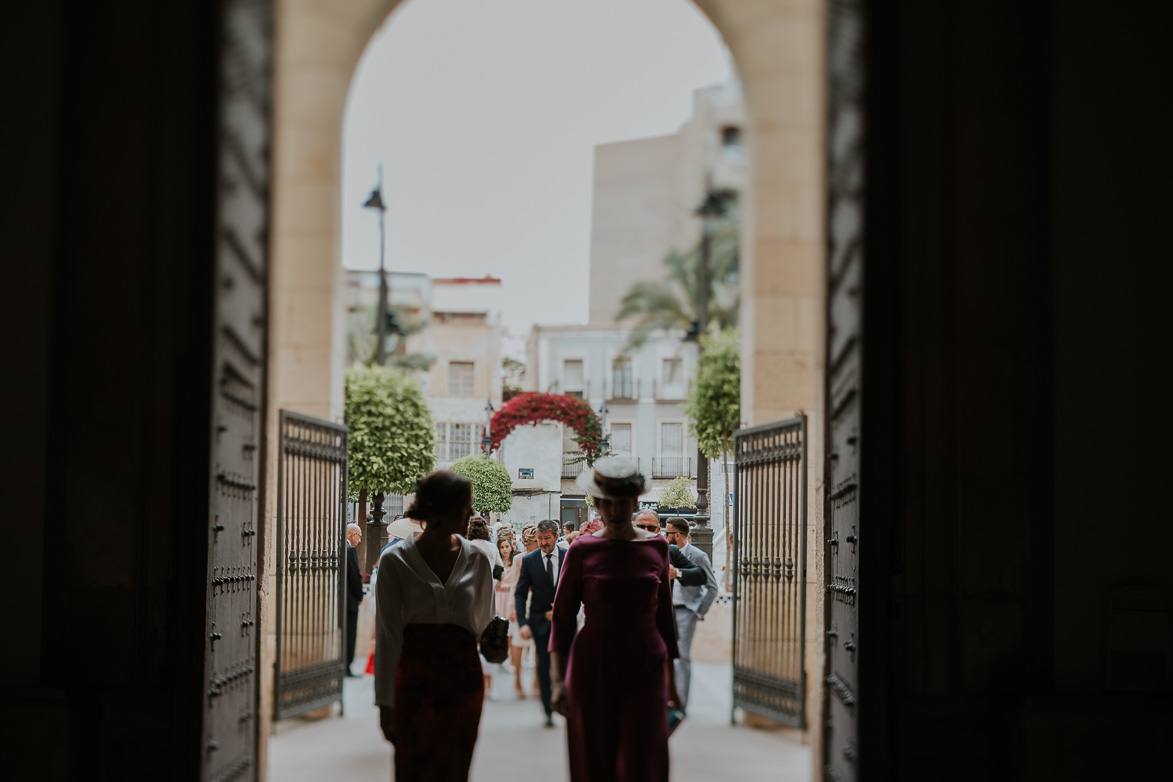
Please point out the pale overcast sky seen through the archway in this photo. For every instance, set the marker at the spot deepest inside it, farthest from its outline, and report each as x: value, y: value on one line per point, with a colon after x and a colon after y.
x: 485, y: 115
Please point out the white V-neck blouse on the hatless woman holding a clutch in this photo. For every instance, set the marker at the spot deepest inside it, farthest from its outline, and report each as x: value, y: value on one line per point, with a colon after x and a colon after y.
x: 409, y: 593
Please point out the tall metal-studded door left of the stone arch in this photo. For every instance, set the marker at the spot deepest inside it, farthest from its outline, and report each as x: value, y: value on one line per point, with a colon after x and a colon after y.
x: 239, y: 372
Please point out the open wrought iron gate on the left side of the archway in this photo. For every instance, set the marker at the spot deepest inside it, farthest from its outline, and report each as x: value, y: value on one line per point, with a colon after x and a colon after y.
x: 311, y: 566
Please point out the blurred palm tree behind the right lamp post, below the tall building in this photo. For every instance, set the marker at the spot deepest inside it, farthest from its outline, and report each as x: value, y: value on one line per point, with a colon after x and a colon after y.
x: 672, y: 303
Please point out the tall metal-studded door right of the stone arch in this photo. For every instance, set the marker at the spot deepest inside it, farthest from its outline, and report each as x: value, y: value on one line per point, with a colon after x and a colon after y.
x: 845, y: 345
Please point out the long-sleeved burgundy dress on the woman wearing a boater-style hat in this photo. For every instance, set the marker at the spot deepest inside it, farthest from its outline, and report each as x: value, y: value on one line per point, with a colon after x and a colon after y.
x: 618, y: 674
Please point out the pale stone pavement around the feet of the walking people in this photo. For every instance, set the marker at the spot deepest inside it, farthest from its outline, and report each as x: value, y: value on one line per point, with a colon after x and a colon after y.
x: 514, y: 747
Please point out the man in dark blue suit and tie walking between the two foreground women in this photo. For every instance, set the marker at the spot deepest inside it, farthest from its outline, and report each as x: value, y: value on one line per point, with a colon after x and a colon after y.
x: 540, y: 575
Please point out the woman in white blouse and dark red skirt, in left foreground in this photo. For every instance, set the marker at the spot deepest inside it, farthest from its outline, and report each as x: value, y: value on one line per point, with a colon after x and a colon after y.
x: 436, y: 600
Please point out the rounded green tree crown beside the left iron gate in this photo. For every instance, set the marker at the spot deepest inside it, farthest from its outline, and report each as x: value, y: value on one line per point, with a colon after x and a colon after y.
x: 392, y: 436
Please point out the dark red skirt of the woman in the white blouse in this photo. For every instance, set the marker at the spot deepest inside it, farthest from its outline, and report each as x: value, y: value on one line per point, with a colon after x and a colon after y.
x: 439, y: 692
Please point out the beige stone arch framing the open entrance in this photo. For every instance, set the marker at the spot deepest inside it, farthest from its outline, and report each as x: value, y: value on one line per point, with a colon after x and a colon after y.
x: 778, y: 52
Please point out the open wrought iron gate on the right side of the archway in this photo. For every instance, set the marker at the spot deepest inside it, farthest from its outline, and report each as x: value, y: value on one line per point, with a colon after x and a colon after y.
x: 770, y: 519
